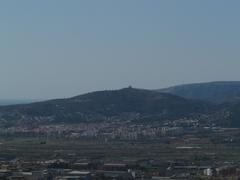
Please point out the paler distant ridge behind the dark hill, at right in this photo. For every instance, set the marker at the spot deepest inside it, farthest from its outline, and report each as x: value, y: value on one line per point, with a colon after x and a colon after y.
x: 214, y: 92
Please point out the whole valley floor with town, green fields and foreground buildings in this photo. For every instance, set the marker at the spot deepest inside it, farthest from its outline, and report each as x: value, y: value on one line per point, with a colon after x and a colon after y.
x: 180, y: 149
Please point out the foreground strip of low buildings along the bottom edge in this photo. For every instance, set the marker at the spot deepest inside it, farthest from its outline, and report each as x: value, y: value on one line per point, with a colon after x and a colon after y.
x: 60, y: 169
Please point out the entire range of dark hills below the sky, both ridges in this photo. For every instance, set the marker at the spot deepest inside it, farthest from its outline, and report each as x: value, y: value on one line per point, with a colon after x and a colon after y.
x: 218, y: 102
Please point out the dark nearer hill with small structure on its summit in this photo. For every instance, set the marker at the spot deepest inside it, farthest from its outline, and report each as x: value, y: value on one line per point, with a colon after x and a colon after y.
x: 124, y: 104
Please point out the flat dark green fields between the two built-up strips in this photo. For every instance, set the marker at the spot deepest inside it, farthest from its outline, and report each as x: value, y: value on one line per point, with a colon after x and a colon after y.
x: 30, y: 148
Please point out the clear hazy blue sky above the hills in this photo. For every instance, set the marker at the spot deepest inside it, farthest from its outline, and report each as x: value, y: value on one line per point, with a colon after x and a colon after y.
x: 62, y: 48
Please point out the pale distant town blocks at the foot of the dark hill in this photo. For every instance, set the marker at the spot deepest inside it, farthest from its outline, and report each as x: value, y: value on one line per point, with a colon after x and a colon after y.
x: 100, y: 131
